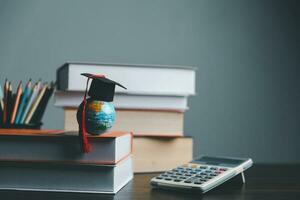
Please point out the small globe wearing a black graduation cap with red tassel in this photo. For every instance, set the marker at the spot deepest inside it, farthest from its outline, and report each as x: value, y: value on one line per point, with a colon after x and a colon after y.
x: 96, y: 114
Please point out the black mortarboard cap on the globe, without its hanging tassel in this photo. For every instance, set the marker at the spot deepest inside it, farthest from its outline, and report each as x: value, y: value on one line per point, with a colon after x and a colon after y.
x: 102, y: 88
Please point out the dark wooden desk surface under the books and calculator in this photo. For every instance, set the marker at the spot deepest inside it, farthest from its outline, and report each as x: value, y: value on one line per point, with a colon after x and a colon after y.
x: 262, y: 182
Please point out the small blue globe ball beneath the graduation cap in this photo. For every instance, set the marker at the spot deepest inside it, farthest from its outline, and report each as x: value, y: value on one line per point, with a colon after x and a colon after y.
x: 100, y: 116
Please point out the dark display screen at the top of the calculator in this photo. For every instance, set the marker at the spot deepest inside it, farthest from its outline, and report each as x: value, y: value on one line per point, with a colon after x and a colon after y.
x: 219, y: 161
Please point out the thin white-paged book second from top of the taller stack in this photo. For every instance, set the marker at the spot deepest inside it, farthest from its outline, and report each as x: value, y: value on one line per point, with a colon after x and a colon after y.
x: 73, y: 99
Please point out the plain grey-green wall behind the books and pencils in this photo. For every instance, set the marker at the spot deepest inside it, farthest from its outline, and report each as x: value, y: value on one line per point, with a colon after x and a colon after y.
x: 247, y: 54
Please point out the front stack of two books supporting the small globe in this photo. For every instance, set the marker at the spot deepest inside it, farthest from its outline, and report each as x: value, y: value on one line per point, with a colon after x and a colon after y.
x: 49, y: 160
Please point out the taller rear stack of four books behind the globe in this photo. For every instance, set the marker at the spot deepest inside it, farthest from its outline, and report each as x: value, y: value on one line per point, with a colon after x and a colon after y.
x: 152, y: 108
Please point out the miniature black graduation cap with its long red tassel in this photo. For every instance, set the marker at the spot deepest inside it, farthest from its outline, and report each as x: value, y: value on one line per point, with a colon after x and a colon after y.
x: 101, y: 89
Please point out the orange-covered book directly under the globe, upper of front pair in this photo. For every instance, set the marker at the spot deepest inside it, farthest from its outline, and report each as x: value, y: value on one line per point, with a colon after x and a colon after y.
x: 63, y: 147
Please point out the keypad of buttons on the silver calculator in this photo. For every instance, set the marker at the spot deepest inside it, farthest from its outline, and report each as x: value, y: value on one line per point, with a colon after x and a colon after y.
x: 192, y: 174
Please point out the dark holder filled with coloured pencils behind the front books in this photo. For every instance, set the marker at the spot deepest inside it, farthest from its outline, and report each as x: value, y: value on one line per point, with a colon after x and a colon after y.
x: 24, y: 108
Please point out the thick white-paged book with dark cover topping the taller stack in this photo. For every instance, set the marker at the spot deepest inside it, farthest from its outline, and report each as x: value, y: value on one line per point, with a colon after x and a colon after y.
x: 139, y: 79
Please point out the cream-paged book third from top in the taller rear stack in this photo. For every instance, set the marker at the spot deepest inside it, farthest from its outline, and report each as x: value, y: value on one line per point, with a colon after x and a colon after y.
x: 139, y: 122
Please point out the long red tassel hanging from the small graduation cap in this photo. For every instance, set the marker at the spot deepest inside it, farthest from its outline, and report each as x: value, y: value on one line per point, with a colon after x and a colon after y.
x: 86, y: 146
